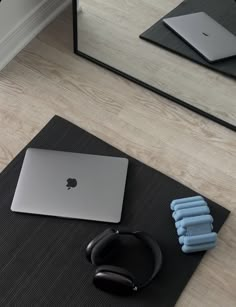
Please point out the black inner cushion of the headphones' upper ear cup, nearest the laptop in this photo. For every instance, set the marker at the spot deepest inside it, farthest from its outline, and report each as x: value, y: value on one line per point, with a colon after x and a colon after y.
x: 104, y: 248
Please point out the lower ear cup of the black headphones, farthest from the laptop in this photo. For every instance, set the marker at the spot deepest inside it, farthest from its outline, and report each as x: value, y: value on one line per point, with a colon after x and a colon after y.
x: 114, y: 279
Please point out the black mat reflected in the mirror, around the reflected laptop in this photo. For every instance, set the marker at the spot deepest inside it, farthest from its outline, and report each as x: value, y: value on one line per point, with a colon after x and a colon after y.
x: 223, y: 12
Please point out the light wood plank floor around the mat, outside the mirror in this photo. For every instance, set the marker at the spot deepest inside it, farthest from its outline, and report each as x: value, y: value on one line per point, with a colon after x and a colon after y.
x: 47, y: 79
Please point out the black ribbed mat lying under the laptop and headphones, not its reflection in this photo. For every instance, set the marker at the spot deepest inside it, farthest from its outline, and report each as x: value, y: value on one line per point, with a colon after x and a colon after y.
x: 42, y: 259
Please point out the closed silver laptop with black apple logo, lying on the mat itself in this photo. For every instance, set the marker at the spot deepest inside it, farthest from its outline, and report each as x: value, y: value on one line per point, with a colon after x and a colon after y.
x: 71, y: 185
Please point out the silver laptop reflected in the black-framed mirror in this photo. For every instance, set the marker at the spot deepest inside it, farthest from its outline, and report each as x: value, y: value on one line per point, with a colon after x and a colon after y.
x: 205, y: 35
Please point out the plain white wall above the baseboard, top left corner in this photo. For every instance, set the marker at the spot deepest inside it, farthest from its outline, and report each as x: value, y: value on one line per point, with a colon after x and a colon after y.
x: 12, y: 12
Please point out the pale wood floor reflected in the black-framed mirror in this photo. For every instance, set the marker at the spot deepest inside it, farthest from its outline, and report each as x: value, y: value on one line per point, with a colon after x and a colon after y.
x: 108, y: 30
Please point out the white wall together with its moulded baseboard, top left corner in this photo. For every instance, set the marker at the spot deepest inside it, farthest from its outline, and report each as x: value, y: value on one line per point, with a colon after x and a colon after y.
x: 21, y: 21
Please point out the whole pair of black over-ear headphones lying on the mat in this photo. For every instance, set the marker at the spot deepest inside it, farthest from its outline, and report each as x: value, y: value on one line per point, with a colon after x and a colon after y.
x: 113, y: 278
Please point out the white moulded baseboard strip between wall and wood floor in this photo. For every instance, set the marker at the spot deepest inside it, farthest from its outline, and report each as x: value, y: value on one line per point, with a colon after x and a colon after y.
x: 28, y: 28
